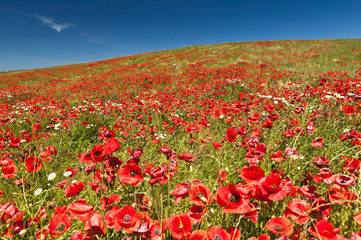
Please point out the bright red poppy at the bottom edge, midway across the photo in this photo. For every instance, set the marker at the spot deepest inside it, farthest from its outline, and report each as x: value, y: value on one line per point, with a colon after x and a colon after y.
x: 179, y: 225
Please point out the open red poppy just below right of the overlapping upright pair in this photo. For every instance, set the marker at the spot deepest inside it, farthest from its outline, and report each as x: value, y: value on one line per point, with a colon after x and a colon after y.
x: 130, y: 174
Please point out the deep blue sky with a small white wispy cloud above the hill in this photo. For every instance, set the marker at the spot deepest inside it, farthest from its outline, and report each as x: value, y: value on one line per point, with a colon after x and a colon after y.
x: 43, y: 33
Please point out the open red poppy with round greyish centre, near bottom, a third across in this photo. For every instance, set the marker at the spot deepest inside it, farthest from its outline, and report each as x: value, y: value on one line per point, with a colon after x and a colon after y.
x: 128, y: 219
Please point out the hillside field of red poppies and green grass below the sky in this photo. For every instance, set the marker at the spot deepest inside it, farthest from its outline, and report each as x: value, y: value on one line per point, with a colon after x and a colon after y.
x: 251, y: 140
